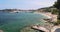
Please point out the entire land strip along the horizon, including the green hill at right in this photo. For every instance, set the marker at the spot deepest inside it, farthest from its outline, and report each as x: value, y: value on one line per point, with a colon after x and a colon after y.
x: 51, y: 9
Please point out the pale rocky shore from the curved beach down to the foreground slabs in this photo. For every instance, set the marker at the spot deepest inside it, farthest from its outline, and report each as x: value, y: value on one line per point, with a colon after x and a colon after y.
x: 48, y: 27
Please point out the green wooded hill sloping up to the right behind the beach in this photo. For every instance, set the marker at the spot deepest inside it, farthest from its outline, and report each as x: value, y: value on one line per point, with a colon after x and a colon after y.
x: 51, y: 9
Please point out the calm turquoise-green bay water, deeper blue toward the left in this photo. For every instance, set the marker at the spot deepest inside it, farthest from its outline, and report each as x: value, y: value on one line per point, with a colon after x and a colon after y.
x: 14, y: 22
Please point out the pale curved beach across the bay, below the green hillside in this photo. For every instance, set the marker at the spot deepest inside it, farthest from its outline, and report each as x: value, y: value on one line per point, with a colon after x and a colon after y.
x: 49, y: 15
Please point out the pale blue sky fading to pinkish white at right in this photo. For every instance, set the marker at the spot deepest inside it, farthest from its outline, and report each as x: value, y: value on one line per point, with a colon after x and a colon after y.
x: 25, y: 4
